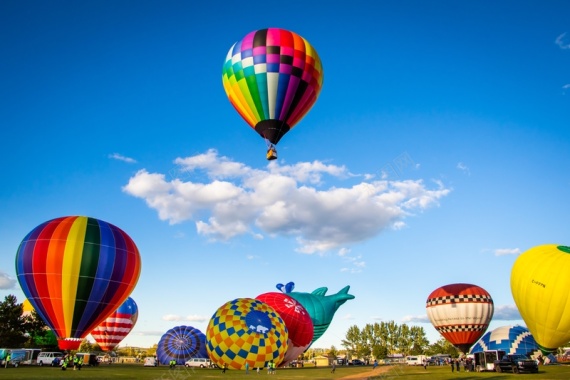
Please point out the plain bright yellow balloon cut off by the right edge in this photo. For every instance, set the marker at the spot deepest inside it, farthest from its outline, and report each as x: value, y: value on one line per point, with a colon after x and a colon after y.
x: 540, y: 280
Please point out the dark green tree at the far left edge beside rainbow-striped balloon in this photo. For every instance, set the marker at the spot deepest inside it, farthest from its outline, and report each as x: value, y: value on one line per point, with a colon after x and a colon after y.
x: 12, y: 324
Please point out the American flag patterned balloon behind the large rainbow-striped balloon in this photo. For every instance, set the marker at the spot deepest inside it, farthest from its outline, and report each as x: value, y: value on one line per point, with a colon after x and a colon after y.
x: 117, y: 326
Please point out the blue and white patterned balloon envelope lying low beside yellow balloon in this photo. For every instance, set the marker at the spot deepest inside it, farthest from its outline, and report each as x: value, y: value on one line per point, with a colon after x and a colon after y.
x: 511, y: 339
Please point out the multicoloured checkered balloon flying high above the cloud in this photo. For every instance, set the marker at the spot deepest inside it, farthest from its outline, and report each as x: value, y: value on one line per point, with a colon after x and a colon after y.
x: 272, y: 77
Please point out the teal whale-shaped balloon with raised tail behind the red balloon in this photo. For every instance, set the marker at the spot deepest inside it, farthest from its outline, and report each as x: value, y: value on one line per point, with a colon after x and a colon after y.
x: 321, y: 307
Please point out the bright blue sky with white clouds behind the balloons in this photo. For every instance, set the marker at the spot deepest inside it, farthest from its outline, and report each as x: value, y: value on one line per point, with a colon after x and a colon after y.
x: 436, y: 153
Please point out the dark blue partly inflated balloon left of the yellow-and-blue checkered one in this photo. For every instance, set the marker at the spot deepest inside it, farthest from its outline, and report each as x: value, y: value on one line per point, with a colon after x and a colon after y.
x: 181, y: 343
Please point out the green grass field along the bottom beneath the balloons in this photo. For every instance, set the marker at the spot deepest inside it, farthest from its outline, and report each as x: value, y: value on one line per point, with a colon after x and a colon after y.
x: 138, y: 372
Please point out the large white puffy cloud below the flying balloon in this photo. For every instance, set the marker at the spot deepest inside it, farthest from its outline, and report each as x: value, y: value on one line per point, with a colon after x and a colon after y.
x: 233, y: 199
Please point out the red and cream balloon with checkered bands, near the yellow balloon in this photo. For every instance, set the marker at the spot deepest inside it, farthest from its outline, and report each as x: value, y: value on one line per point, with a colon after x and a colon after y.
x: 461, y: 313
